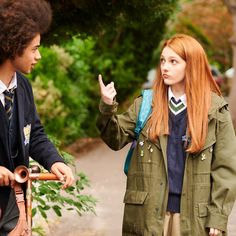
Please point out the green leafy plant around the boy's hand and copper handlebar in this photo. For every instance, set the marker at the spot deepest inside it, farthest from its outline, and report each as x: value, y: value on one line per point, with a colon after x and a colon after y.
x: 48, y: 195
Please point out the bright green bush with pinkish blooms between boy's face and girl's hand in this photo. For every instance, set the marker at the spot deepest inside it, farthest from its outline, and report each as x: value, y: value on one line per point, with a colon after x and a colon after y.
x: 61, y: 84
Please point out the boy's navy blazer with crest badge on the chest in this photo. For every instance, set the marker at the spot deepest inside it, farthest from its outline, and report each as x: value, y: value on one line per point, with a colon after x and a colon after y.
x: 33, y: 142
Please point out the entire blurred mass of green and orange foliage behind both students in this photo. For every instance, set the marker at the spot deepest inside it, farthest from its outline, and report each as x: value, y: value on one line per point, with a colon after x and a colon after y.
x: 120, y: 40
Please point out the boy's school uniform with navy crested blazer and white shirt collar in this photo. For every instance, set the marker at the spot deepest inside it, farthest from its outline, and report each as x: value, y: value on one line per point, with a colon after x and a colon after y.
x: 22, y: 137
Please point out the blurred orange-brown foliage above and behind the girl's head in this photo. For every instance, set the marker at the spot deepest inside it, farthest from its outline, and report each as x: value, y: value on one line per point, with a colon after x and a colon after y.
x: 211, y: 23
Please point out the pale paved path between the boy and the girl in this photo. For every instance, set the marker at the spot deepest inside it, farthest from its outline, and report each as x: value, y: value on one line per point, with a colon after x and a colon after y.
x: 105, y: 170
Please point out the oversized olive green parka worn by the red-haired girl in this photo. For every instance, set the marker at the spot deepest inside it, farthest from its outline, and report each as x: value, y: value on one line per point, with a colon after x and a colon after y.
x: 209, y: 185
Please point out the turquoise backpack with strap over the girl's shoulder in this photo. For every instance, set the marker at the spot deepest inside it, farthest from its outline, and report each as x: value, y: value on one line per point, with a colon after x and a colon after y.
x: 144, y: 112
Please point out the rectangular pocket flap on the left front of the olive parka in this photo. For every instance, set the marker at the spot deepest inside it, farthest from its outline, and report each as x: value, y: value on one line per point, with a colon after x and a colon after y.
x: 135, y: 197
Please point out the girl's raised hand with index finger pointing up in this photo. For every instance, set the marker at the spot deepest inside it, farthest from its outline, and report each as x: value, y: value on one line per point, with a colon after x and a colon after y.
x: 108, y: 92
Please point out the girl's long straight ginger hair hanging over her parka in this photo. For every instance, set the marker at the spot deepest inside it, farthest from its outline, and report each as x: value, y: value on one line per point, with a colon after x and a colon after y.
x: 199, y: 84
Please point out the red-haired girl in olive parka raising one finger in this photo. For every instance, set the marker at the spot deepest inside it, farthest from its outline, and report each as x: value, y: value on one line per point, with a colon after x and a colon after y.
x: 181, y: 178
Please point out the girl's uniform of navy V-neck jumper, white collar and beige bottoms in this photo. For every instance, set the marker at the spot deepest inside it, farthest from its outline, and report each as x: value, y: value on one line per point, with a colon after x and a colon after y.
x: 176, y: 156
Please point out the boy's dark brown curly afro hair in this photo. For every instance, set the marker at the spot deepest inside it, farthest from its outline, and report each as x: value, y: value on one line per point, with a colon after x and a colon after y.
x: 20, y: 22
